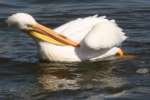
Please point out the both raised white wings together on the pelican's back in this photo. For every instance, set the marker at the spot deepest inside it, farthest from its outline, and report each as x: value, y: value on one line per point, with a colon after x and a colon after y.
x: 94, y: 32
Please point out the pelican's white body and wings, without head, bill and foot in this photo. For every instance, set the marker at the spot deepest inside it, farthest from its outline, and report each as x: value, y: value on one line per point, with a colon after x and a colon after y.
x: 98, y: 38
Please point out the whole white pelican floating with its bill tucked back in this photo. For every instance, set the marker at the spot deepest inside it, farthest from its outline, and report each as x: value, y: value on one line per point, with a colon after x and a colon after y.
x: 90, y: 38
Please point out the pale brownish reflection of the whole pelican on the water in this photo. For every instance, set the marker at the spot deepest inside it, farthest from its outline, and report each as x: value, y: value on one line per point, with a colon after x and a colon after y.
x: 54, y: 76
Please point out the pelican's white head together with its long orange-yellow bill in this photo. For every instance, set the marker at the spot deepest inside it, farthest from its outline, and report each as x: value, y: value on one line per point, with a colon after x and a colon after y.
x: 40, y: 32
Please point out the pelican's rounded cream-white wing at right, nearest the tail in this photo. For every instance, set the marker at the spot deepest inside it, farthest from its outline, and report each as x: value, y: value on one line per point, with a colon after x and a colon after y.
x: 104, y: 34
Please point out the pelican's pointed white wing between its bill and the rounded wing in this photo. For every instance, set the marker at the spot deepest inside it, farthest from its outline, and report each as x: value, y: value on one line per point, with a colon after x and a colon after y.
x: 79, y: 28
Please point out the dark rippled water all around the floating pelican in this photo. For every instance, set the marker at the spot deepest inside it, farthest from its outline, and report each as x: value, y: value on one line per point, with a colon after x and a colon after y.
x: 23, y: 77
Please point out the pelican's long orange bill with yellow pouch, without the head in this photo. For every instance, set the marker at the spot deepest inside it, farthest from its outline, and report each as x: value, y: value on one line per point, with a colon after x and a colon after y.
x: 46, y: 34
